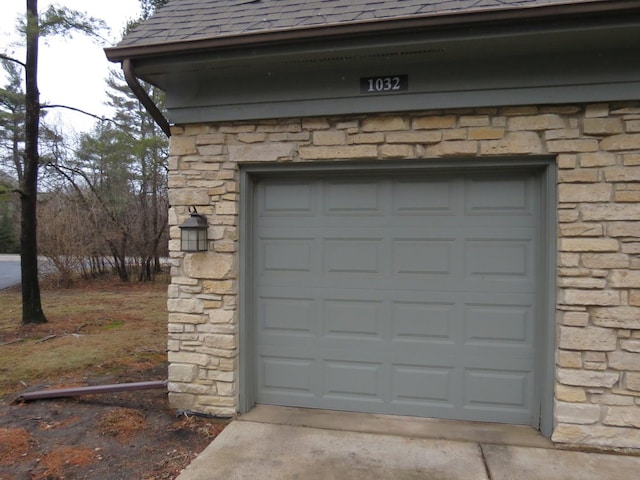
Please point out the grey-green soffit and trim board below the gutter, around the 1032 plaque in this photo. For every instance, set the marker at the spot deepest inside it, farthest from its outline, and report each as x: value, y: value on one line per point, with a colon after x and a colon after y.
x: 479, y: 67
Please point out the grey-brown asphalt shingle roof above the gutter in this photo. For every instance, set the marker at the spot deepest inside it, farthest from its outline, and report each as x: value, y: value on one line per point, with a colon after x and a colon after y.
x: 186, y: 20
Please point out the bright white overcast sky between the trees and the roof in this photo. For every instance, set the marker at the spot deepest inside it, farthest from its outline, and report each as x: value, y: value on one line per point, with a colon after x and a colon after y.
x: 72, y: 71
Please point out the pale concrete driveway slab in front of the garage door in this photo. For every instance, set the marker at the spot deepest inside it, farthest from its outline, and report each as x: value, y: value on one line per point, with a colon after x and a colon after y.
x: 279, y: 443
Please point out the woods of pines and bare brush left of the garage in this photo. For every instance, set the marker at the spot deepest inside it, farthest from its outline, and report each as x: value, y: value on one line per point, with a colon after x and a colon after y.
x: 90, y: 204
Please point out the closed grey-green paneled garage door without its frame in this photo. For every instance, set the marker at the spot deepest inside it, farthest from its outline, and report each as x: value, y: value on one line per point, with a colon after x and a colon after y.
x: 410, y: 294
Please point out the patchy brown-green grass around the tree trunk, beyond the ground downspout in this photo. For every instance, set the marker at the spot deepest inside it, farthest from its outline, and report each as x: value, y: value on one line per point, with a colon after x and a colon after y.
x: 101, y: 327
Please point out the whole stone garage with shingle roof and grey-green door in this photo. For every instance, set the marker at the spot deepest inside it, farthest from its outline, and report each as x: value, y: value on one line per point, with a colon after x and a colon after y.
x: 412, y: 209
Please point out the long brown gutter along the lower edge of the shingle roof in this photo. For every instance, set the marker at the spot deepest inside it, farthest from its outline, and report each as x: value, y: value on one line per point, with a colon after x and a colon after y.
x: 368, y: 27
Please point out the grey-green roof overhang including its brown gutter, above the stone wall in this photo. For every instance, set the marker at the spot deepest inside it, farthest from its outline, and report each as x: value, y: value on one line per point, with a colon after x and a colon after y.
x: 559, y: 53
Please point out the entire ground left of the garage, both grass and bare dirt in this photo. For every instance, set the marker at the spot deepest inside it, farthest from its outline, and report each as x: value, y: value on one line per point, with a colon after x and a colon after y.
x: 99, y: 333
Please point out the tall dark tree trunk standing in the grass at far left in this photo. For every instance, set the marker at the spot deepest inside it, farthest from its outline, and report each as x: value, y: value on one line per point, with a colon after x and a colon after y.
x: 31, y: 304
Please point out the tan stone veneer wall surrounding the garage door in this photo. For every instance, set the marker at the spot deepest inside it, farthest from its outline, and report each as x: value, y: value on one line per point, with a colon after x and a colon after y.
x: 597, y: 148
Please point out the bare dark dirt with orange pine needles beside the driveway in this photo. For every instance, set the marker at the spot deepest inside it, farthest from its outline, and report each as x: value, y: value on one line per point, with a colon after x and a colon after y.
x: 127, y: 435
